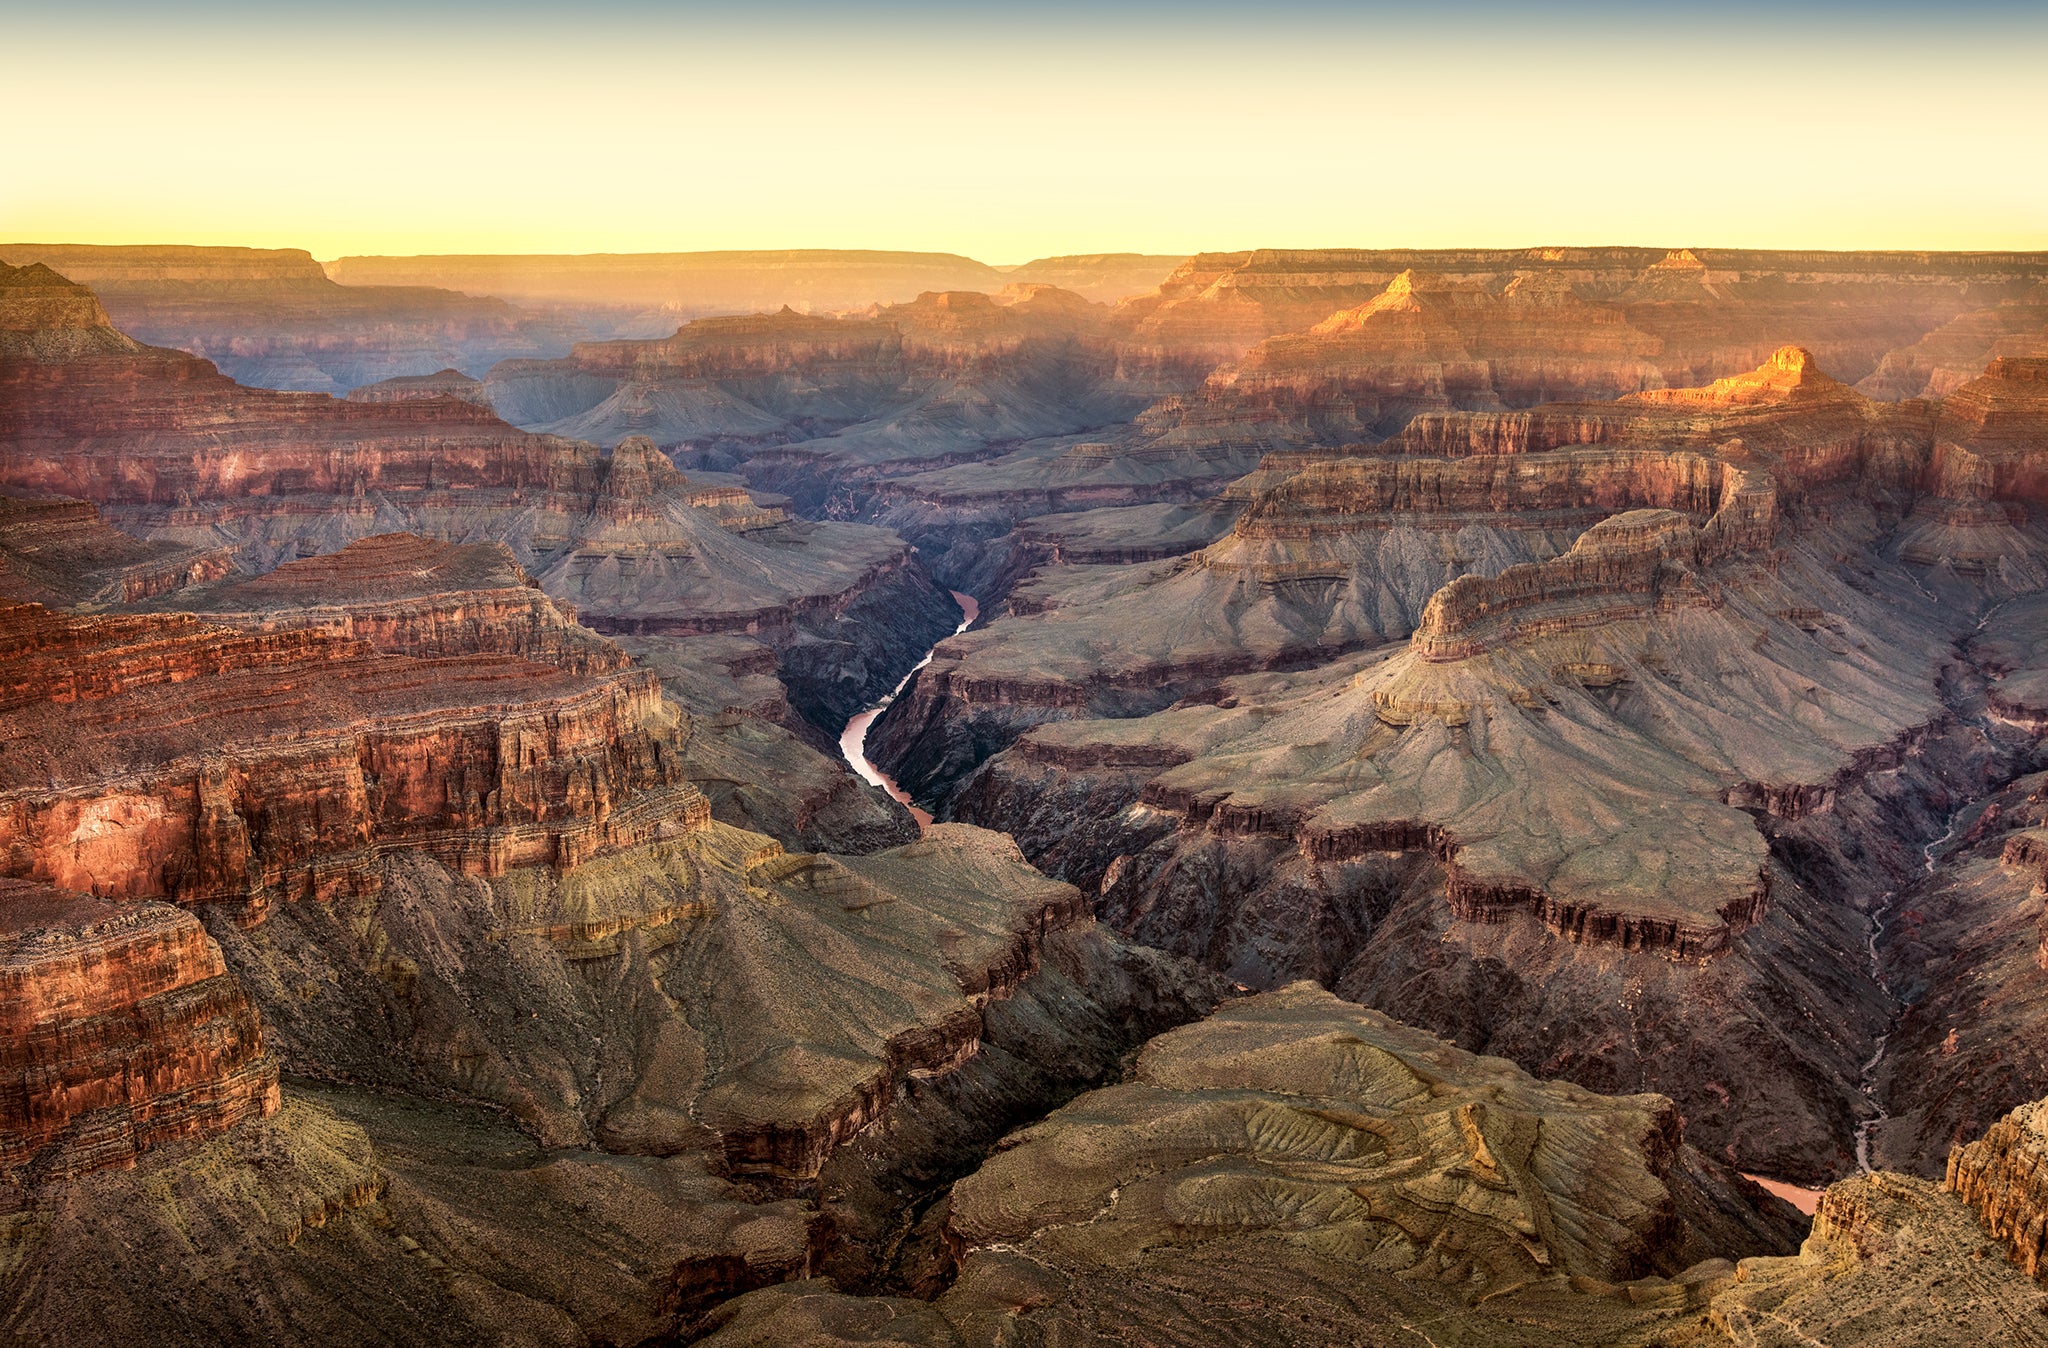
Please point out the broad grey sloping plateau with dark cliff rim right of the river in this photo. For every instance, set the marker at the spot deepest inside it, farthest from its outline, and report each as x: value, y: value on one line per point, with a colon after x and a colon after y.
x: 1570, y: 784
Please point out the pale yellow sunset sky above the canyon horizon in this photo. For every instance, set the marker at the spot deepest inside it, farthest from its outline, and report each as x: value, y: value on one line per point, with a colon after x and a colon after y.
x: 1011, y: 132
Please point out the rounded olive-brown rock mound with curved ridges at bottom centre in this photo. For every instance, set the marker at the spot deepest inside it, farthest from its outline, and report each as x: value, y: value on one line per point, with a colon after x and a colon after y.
x: 1377, y: 1173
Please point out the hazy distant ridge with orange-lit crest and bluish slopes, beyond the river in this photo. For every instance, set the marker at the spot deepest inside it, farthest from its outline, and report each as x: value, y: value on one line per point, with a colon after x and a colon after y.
x: 902, y: 386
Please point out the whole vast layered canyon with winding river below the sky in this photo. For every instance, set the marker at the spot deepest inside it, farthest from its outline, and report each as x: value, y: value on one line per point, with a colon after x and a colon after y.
x: 1293, y: 796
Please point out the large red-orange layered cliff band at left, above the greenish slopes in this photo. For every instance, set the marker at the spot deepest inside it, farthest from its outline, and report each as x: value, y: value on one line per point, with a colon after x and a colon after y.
x: 159, y: 755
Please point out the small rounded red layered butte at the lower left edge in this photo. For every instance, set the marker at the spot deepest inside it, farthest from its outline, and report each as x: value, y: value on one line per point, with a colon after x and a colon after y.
x: 120, y: 1029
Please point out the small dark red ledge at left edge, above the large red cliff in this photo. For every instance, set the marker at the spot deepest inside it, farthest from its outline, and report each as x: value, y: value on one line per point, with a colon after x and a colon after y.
x: 58, y: 552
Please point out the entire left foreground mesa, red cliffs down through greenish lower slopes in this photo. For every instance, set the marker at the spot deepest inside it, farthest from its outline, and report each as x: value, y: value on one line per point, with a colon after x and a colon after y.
x: 685, y: 995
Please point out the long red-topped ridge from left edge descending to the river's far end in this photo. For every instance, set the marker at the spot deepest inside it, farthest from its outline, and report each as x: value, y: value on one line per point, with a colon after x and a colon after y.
x: 175, y: 452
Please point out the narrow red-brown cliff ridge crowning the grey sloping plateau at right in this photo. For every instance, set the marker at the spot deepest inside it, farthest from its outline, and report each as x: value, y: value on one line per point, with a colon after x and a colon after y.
x: 1627, y: 564
